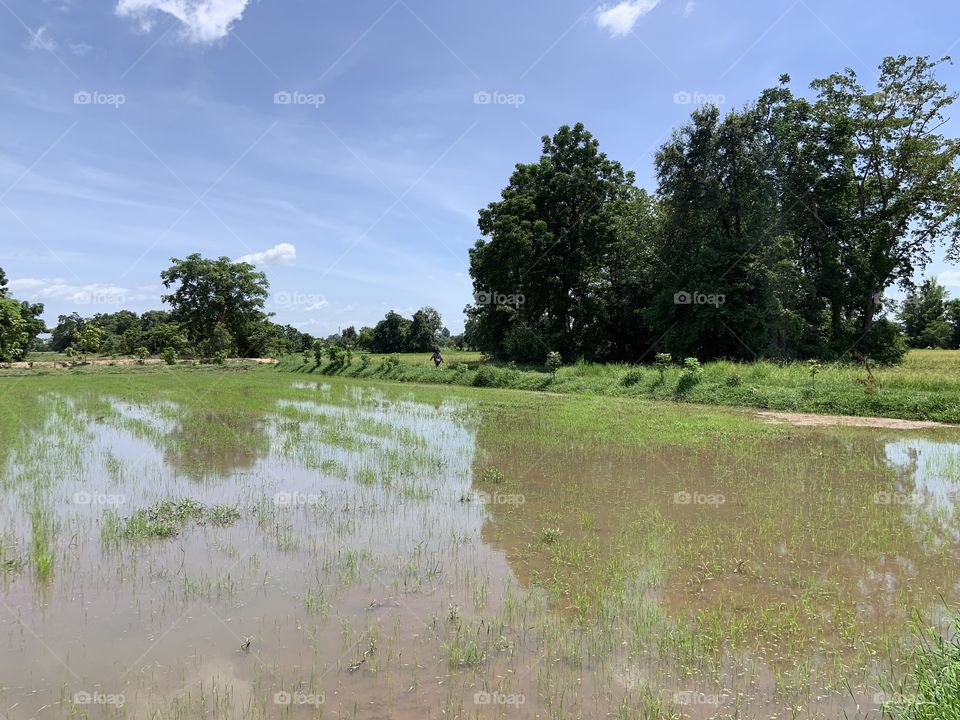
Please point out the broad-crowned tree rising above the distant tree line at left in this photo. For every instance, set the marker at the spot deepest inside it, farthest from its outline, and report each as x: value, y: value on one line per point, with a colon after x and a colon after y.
x: 218, y: 298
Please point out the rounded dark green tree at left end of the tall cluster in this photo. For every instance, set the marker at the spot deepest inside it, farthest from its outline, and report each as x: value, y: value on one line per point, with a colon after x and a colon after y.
x: 540, y: 276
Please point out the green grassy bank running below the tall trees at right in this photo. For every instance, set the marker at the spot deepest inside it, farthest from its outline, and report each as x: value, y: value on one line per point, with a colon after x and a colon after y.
x: 925, y: 387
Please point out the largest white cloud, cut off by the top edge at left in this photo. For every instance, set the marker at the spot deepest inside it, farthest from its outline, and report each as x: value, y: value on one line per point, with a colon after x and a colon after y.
x: 205, y: 21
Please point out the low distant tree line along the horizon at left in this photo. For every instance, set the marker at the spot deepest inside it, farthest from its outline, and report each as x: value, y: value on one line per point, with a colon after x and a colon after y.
x: 216, y: 311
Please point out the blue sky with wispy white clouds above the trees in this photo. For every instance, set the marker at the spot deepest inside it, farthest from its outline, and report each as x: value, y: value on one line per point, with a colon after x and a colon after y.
x: 346, y: 147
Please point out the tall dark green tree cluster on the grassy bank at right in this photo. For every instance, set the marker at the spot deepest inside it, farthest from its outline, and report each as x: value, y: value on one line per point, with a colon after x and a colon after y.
x: 774, y: 231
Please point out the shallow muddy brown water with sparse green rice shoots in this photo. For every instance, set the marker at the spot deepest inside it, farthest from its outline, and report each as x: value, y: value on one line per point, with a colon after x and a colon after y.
x: 404, y: 558
